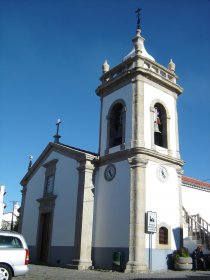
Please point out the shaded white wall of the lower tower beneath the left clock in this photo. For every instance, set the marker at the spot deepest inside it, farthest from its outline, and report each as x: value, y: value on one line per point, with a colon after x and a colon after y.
x: 112, y: 208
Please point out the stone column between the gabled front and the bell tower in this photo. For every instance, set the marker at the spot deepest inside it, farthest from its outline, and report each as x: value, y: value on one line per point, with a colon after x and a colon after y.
x: 84, y: 217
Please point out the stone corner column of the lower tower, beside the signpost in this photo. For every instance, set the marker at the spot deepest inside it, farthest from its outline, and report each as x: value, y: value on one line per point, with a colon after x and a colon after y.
x: 137, y: 215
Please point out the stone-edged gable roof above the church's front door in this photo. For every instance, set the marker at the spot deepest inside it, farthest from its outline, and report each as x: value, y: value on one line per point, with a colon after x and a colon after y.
x: 75, y: 153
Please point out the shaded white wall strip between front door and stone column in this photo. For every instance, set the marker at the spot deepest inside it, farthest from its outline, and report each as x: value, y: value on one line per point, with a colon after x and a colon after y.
x: 66, y: 186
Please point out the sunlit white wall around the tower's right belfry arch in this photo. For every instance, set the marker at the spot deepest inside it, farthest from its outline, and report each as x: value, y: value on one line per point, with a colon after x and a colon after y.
x: 153, y: 94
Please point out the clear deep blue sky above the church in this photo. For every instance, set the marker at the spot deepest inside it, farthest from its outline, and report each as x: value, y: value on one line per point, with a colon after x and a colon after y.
x: 51, y: 53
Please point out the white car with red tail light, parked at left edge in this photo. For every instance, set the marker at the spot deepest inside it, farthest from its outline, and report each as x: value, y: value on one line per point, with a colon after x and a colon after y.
x: 14, y: 255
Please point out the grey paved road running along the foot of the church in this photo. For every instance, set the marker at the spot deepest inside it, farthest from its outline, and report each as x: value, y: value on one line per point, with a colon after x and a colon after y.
x: 54, y: 273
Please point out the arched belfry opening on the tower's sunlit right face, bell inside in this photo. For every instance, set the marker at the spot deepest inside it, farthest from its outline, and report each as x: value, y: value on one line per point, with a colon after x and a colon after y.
x: 160, y: 126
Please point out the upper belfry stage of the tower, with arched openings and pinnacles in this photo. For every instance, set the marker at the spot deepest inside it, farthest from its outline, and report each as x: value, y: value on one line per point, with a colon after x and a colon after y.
x: 138, y: 104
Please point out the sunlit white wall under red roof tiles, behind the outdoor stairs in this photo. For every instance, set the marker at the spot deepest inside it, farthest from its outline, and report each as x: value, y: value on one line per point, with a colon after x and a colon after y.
x: 196, y: 202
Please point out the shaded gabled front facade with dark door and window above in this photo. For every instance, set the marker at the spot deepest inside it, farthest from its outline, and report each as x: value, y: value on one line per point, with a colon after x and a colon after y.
x: 61, y: 203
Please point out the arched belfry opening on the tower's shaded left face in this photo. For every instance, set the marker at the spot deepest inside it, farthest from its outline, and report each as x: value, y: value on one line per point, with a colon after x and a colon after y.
x: 116, y: 125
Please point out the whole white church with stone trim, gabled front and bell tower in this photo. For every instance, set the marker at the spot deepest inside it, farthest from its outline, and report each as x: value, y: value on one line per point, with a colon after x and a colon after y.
x: 79, y: 208
